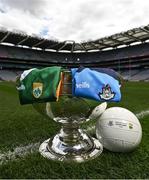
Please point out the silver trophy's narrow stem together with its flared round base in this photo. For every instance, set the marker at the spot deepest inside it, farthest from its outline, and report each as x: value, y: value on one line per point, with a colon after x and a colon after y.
x: 71, y: 144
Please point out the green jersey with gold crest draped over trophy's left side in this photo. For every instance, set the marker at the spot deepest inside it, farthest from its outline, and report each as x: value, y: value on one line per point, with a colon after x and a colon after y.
x: 39, y: 85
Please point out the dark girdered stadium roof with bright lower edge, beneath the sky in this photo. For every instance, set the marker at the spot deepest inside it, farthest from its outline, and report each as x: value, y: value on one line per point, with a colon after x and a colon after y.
x: 127, y: 38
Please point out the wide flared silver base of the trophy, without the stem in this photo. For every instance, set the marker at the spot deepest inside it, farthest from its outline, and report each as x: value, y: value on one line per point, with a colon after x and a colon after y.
x: 55, y: 150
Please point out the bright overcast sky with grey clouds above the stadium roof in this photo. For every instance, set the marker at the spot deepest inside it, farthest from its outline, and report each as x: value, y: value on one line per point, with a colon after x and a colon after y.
x: 78, y: 20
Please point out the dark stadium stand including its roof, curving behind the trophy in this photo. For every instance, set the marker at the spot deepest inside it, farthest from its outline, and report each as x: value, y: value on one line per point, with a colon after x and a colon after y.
x: 26, y: 52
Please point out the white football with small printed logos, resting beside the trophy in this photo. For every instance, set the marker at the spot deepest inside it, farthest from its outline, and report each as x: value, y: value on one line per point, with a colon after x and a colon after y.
x: 119, y: 130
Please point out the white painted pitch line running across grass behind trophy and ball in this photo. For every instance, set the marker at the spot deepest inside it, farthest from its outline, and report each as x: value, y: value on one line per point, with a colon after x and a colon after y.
x: 21, y: 151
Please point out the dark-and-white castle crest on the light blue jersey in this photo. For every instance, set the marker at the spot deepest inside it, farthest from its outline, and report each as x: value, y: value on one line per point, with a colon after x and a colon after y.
x: 106, y: 93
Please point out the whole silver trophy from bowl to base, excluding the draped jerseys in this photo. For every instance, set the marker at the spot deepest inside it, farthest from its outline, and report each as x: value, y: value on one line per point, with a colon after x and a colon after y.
x: 71, y: 143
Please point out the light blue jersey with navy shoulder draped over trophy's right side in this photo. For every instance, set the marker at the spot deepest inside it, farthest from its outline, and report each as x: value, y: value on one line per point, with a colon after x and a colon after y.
x: 99, y: 84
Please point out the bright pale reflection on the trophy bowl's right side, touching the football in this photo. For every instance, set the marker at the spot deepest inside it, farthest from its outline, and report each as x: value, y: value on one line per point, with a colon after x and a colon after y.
x: 98, y: 110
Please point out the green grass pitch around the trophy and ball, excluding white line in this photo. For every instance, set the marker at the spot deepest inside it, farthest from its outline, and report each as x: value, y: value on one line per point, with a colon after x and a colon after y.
x: 22, y: 125
